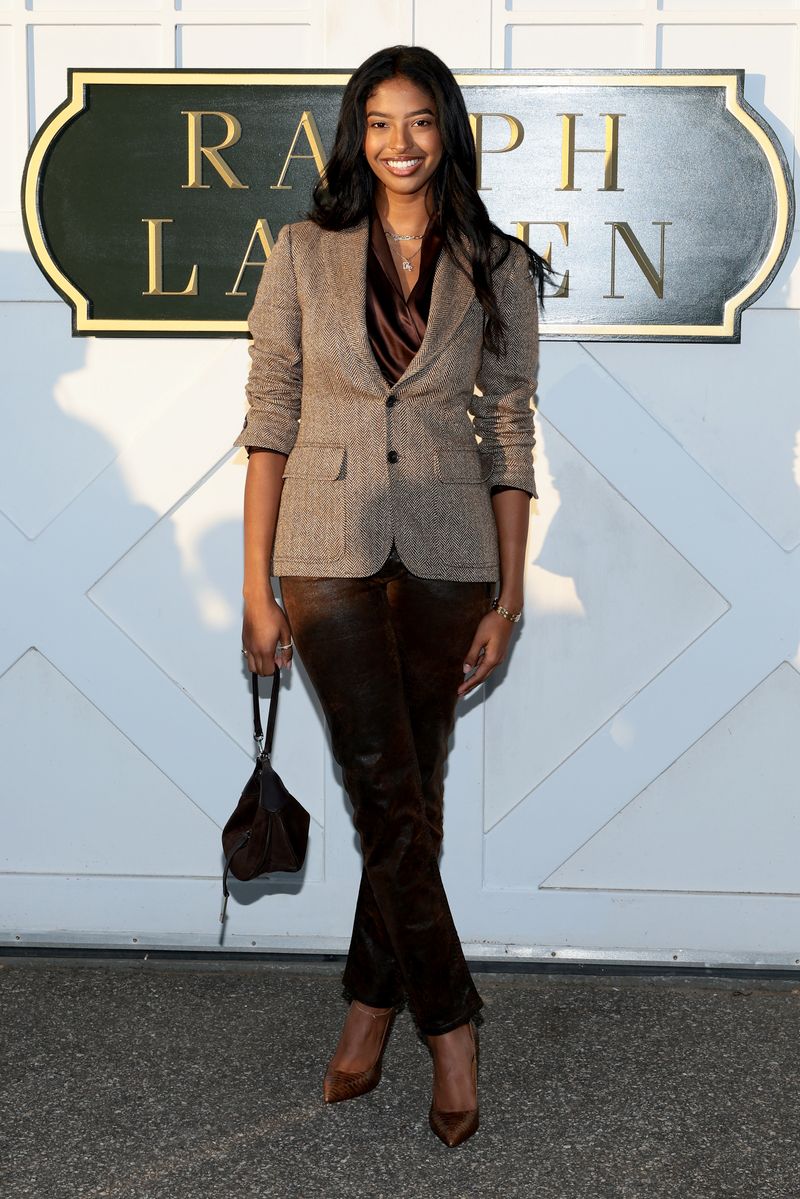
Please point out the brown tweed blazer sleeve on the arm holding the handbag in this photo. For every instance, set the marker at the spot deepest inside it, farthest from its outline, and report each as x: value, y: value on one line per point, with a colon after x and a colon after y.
x: 275, y: 381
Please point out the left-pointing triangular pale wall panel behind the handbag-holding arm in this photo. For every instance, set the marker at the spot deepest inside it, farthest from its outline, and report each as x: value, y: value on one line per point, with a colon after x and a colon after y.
x: 179, y: 589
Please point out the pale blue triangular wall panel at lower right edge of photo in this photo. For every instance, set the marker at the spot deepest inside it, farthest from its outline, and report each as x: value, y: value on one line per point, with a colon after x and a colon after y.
x: 723, y: 818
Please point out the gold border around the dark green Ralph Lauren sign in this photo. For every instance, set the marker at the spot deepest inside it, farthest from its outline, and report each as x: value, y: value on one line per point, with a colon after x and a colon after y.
x: 81, y: 80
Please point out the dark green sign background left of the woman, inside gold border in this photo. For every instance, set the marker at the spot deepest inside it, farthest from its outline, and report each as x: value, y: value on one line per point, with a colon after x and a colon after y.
x: 128, y: 161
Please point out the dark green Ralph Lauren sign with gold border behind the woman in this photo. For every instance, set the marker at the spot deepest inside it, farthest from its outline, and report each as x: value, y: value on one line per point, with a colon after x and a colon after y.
x: 688, y: 231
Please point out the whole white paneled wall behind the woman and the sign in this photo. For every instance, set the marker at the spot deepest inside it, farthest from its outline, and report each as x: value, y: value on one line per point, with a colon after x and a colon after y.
x: 627, y: 787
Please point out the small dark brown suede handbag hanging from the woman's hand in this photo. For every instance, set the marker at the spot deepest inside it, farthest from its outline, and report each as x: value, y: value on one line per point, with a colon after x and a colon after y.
x: 269, y: 828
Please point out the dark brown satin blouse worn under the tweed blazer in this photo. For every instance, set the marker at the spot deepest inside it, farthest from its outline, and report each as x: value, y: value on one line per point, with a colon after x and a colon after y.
x: 396, y: 326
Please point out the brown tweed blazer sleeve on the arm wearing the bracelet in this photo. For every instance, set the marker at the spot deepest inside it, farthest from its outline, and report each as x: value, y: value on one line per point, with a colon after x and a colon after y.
x: 504, y: 412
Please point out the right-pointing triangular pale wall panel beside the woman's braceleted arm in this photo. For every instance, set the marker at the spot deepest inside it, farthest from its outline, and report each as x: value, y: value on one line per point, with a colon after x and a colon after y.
x: 609, y: 605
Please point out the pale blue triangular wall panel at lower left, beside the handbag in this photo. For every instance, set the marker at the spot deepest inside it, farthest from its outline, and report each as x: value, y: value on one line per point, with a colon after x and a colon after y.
x: 92, y: 803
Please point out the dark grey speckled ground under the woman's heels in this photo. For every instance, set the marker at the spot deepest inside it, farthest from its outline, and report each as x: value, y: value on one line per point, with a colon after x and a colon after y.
x: 159, y: 1079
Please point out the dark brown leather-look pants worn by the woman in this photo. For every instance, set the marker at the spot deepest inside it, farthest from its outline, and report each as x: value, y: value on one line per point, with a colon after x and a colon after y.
x: 386, y: 658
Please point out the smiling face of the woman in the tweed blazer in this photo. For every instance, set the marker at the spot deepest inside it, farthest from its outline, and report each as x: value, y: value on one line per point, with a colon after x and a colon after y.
x: 402, y: 141
